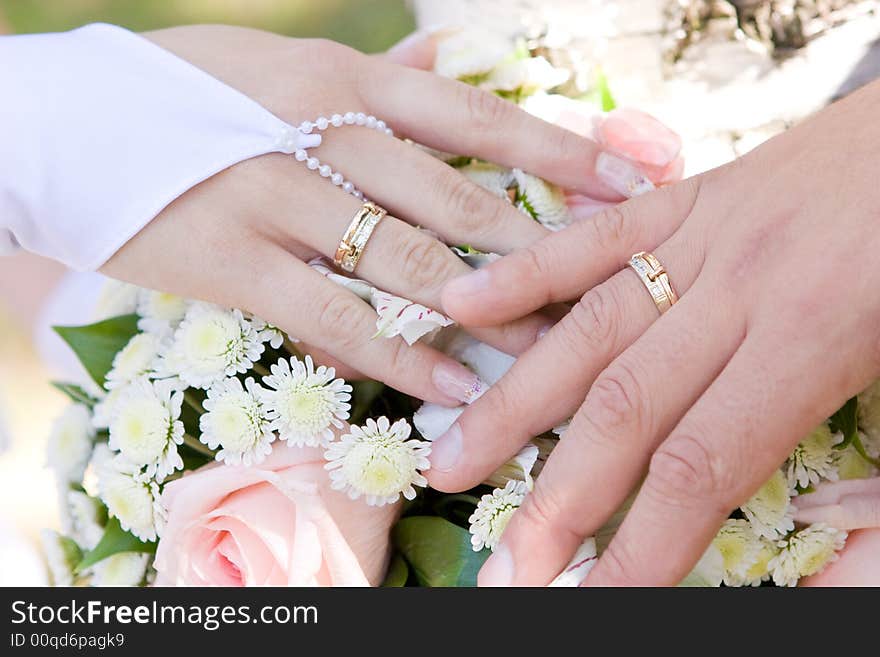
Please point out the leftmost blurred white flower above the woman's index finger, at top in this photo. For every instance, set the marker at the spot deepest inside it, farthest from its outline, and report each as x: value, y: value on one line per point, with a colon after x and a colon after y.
x: 470, y: 53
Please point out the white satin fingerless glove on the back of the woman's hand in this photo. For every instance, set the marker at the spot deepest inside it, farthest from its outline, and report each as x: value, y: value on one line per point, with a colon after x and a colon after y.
x: 100, y: 129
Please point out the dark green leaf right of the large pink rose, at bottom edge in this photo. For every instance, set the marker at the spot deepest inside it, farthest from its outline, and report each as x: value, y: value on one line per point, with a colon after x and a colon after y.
x: 439, y: 552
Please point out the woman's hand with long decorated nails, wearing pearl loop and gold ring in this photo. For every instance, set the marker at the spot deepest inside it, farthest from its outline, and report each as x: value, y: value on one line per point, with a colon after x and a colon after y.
x: 241, y: 237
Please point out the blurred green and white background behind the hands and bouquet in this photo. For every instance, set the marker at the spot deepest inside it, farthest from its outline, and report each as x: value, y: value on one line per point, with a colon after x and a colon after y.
x: 725, y: 74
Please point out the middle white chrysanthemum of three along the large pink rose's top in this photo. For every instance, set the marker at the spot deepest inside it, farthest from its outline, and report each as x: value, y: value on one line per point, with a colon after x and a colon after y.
x: 305, y: 403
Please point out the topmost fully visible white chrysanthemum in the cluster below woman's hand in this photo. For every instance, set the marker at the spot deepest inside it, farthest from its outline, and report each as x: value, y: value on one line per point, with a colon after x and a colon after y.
x: 211, y: 344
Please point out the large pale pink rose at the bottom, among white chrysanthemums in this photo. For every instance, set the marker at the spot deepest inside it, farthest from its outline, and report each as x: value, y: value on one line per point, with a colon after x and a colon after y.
x: 275, y: 524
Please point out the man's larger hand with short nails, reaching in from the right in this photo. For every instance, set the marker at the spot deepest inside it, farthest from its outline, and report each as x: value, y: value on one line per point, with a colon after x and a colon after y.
x: 775, y: 260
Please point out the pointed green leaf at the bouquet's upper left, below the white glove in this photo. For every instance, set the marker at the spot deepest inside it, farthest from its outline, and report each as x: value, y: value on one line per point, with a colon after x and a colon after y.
x: 97, y: 344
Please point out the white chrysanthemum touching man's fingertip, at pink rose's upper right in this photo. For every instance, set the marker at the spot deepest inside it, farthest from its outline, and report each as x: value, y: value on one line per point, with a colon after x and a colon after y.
x: 378, y: 461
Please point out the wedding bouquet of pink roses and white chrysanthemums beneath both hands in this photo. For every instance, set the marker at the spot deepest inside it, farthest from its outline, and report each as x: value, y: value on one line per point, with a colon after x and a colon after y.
x: 210, y: 449
